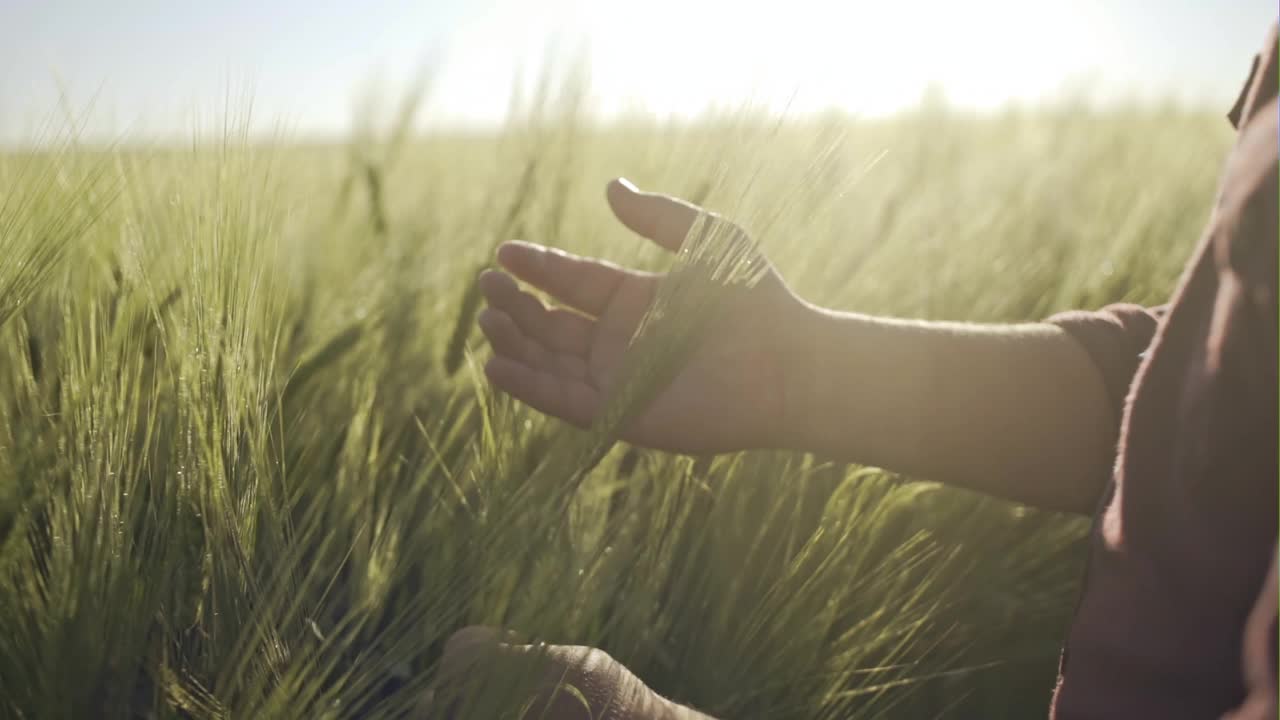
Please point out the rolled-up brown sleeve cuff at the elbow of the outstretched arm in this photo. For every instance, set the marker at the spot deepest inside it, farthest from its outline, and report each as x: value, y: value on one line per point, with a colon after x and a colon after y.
x: 1116, y: 338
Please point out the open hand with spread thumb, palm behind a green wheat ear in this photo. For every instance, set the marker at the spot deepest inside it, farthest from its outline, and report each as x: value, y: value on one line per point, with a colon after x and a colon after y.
x: 564, y: 361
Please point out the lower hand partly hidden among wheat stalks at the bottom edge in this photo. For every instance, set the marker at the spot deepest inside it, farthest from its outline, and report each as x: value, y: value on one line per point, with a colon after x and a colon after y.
x: 604, y: 689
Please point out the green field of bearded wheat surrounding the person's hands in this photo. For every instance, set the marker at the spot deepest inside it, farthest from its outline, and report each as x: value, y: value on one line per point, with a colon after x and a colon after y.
x: 250, y: 466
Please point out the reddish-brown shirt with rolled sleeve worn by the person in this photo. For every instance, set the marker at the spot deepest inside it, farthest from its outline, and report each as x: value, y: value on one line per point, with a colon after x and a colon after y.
x: 1178, y: 614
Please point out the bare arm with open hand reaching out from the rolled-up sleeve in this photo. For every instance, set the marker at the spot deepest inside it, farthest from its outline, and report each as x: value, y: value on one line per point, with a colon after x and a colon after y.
x: 1018, y: 412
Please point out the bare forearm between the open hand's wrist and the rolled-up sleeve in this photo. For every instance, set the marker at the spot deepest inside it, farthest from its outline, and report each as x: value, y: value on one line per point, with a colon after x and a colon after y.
x: 1017, y: 412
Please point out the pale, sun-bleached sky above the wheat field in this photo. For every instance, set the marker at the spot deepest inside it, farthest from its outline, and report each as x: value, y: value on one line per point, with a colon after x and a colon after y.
x: 156, y: 69
